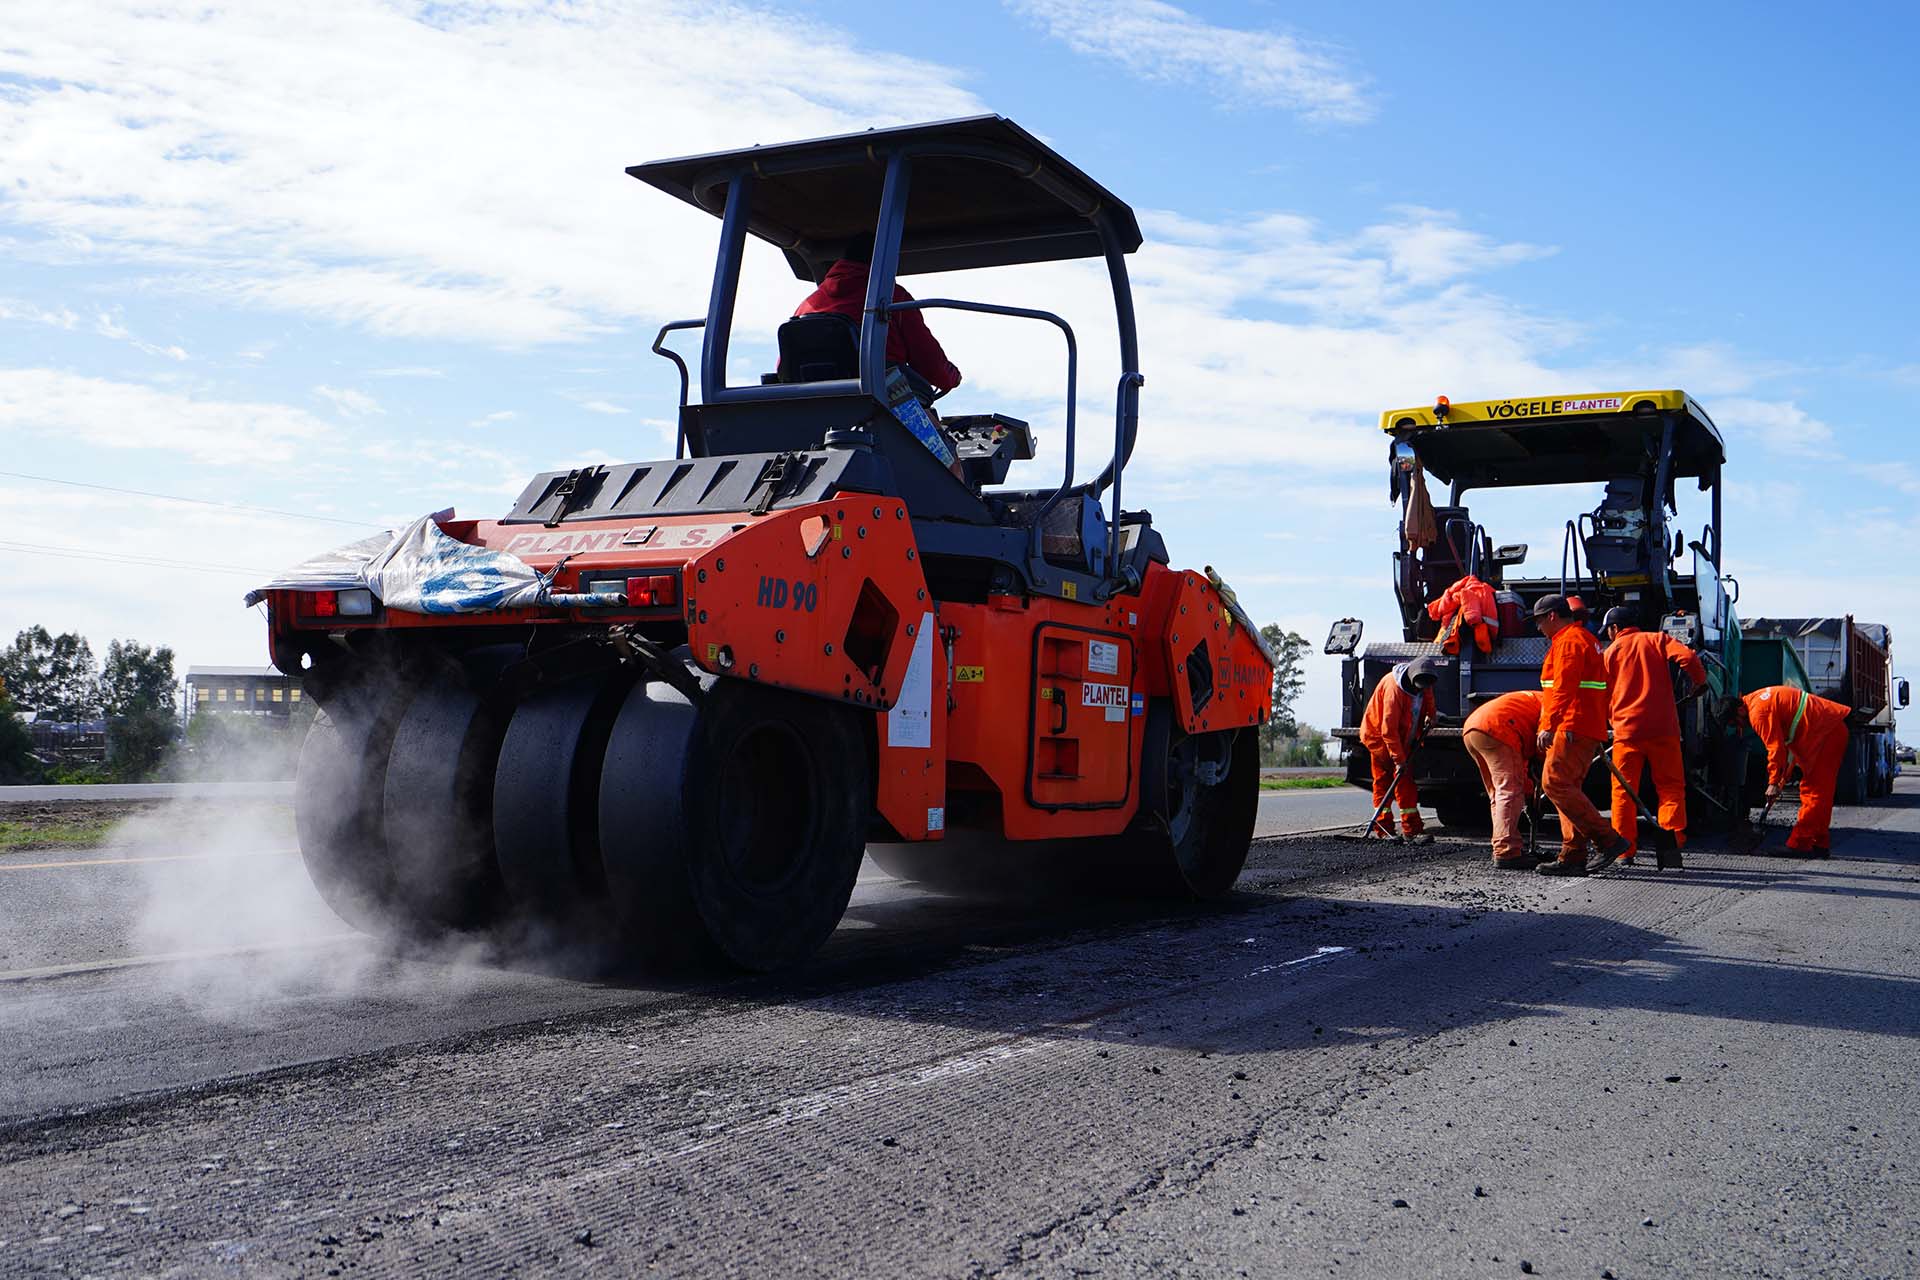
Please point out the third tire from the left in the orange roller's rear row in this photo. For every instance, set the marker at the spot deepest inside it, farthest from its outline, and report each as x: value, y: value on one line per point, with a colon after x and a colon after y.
x: 546, y: 807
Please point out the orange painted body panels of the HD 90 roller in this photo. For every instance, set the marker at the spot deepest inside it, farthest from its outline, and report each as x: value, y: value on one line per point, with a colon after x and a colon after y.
x: 1022, y: 715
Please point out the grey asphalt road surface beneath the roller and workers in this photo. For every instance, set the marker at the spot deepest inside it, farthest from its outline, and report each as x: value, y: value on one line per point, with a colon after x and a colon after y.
x: 1374, y: 1060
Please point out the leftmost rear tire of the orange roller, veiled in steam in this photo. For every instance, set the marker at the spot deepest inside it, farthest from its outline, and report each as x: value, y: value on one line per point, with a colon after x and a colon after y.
x: 339, y: 809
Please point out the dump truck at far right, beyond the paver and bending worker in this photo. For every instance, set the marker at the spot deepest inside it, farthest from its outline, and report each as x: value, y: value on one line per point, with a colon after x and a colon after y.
x: 1844, y: 661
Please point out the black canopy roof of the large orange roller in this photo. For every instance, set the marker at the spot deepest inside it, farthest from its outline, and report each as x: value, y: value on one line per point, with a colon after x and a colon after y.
x: 984, y: 193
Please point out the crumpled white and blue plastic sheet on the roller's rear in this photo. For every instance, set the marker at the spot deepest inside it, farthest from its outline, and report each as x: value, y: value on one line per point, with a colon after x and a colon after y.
x: 420, y: 571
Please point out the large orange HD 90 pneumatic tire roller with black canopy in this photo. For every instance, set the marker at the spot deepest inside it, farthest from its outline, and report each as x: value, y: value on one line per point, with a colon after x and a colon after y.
x: 663, y: 707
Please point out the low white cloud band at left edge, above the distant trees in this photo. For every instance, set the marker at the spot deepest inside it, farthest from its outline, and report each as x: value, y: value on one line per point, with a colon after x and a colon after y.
x: 126, y: 415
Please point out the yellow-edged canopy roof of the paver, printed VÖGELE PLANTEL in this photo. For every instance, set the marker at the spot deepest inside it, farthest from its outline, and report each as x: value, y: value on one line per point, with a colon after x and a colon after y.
x: 1558, y: 439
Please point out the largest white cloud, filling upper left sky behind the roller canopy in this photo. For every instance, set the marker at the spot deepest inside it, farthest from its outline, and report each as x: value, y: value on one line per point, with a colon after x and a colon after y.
x: 416, y: 170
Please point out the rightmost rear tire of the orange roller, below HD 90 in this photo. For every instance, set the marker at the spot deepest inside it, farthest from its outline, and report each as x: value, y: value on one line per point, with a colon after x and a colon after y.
x: 694, y: 801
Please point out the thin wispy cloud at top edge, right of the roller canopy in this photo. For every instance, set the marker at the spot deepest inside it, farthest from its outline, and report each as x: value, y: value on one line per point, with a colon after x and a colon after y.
x: 1243, y: 68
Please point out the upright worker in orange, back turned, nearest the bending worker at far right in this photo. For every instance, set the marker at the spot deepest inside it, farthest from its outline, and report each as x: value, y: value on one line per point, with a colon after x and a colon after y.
x: 1646, y: 723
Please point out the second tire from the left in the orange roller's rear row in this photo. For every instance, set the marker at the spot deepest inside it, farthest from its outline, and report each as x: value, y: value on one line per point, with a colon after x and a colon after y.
x: 439, y: 805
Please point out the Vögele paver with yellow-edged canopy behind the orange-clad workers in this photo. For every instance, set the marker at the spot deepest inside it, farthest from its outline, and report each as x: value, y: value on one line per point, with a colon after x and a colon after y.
x: 1633, y: 452
